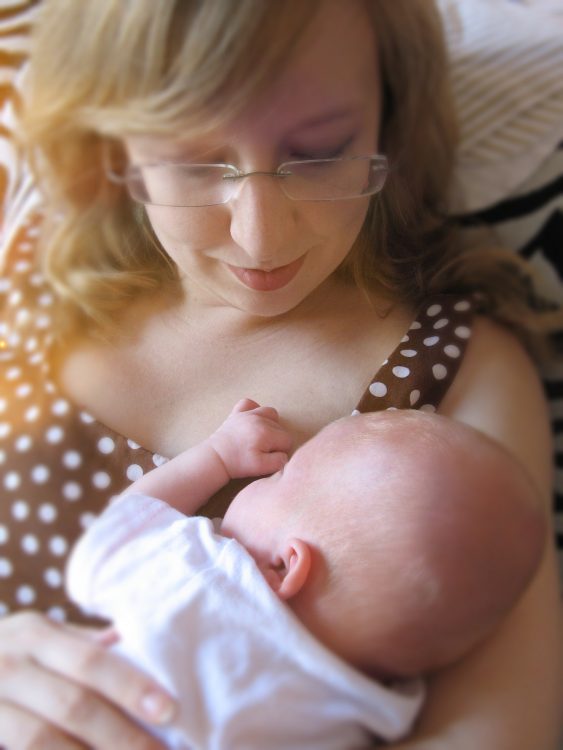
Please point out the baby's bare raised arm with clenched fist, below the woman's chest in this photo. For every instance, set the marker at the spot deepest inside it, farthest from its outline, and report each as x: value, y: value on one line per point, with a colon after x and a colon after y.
x: 250, y: 442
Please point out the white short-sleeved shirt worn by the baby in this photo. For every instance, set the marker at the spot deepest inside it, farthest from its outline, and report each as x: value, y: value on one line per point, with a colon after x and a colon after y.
x: 194, y: 611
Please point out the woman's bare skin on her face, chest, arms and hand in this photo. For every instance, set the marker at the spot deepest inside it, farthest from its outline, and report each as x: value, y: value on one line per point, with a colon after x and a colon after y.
x: 325, y: 339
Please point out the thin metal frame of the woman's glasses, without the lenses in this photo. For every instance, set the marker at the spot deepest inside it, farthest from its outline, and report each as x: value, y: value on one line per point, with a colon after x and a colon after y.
x: 282, y: 172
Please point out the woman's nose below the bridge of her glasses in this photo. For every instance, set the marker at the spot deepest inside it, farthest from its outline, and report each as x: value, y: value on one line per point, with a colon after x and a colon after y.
x: 263, y: 220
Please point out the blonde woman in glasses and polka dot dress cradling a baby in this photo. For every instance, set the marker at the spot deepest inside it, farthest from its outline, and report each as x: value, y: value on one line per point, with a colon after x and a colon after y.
x: 178, y: 283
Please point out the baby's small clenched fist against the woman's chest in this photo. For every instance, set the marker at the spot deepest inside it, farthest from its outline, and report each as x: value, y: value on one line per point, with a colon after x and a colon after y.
x: 251, y: 442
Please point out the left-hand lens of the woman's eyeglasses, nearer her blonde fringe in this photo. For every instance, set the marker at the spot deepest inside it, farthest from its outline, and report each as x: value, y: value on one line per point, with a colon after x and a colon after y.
x: 181, y: 184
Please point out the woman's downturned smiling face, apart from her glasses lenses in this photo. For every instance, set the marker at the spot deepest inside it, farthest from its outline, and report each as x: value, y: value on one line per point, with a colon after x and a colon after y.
x: 263, y: 253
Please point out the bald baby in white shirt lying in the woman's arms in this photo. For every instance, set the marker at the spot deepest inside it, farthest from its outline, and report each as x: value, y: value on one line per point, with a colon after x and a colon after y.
x: 386, y: 547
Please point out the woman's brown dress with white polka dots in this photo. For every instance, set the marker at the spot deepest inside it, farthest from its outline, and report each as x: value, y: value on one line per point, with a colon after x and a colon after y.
x: 59, y: 467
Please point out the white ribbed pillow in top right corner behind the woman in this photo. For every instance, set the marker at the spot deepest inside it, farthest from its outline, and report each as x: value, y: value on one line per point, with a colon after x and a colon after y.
x: 507, y: 75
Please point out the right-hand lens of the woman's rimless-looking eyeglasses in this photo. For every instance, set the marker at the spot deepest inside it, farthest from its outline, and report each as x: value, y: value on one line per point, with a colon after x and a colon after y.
x: 333, y: 179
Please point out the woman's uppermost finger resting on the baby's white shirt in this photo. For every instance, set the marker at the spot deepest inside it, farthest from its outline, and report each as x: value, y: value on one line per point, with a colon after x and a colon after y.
x: 81, y: 659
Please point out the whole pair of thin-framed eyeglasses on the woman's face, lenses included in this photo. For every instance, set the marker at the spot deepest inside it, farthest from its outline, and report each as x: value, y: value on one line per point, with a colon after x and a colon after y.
x: 194, y: 185
